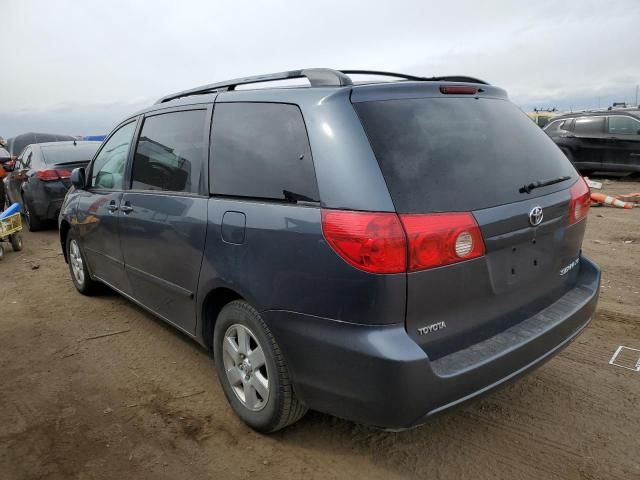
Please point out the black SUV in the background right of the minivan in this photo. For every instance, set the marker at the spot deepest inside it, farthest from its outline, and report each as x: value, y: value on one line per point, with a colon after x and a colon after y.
x: 607, y: 140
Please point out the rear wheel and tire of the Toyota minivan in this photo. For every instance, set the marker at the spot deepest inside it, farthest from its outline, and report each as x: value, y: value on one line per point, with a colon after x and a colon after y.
x: 247, y: 354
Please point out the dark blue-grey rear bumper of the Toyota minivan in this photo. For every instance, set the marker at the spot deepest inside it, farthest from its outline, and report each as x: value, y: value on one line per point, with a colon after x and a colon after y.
x: 378, y: 375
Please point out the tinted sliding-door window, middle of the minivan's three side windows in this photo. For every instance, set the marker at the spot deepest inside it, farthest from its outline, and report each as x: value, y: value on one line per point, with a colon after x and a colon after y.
x: 171, y: 153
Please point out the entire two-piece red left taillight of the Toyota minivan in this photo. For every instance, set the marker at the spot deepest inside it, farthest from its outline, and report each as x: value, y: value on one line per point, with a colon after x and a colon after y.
x: 388, y: 243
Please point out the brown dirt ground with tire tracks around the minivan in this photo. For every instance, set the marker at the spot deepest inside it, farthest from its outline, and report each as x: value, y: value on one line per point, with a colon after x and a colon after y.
x: 145, y: 402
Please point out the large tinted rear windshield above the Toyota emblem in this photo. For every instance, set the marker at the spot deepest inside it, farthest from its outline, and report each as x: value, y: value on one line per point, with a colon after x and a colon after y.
x: 459, y: 154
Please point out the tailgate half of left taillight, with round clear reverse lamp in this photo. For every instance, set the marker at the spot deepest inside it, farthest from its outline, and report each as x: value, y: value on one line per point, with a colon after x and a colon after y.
x: 441, y: 239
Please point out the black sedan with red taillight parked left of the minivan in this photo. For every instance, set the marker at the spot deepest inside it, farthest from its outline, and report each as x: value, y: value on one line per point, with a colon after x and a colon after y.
x: 40, y: 178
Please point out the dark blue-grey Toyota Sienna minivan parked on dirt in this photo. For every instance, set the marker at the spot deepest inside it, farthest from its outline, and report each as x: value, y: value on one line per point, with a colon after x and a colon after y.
x: 380, y: 251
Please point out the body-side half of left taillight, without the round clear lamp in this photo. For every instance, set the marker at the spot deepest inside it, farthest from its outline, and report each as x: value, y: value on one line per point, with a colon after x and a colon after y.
x: 373, y: 242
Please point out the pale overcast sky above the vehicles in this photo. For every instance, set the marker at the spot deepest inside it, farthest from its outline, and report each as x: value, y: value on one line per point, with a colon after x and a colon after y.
x: 79, y: 66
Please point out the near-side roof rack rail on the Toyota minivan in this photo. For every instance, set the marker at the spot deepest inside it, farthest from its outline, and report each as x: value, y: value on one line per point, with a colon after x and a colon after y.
x: 318, y: 77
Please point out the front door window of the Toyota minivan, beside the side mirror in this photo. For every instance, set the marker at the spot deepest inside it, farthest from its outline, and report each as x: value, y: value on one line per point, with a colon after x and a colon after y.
x: 108, y: 167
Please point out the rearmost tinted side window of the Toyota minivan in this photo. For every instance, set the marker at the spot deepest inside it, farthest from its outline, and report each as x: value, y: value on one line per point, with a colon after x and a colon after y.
x: 261, y: 150
